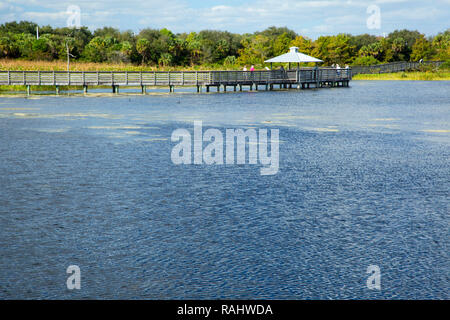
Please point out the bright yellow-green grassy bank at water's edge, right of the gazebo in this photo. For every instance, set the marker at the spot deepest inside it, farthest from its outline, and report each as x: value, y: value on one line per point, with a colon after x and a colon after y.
x: 415, y: 75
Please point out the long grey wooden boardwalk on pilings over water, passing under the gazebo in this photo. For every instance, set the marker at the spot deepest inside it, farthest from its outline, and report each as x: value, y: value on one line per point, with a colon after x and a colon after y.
x: 302, y: 78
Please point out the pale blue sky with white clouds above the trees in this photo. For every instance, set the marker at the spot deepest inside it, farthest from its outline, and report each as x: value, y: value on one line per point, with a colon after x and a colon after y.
x: 311, y: 18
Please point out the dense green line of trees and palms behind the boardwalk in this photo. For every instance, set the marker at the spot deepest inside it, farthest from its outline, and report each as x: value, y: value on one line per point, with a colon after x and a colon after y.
x: 18, y: 40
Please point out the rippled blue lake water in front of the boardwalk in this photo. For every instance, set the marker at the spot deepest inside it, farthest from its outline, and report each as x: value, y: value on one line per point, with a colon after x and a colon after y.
x: 364, y: 179
